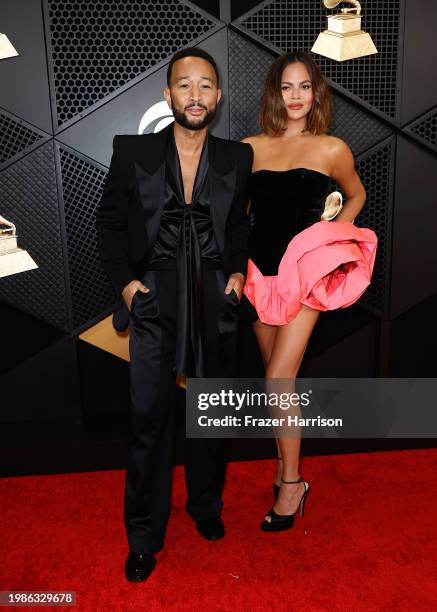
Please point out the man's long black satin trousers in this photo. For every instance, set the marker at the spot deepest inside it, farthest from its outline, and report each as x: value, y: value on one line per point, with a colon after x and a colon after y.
x: 152, y: 407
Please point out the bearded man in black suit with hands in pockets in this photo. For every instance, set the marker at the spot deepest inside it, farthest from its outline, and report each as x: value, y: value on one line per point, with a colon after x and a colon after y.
x: 172, y: 232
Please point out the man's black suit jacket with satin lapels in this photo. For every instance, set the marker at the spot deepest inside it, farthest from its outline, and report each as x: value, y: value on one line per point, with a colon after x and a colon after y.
x: 129, y: 213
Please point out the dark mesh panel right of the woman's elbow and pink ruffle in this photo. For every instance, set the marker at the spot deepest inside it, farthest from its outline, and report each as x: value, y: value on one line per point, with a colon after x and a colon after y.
x: 375, y: 169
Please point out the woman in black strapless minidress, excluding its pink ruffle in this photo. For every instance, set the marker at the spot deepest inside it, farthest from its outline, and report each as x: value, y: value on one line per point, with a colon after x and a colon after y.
x: 294, y: 160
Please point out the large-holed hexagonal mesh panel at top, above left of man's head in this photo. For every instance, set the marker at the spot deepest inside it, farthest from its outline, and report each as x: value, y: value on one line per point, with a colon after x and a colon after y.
x: 99, y: 46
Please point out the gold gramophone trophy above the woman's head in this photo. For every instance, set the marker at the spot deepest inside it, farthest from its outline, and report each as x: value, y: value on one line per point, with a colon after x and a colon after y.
x: 344, y: 39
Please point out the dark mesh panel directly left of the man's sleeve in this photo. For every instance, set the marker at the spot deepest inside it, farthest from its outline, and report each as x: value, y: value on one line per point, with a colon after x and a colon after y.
x: 82, y: 183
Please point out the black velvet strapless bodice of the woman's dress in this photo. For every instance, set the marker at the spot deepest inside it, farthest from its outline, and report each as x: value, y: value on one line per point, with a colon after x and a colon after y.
x: 283, y: 203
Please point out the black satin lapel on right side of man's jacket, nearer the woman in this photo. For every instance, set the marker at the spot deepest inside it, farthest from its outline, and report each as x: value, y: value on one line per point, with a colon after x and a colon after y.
x: 222, y: 194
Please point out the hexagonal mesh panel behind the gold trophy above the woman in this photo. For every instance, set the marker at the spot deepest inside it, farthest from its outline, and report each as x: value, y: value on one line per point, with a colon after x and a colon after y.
x: 296, y: 25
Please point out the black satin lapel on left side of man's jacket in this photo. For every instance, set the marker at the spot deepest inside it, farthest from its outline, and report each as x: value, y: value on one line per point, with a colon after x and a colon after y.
x: 151, y: 188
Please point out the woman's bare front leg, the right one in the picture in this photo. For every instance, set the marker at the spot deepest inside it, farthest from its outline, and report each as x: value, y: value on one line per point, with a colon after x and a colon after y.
x: 286, y: 356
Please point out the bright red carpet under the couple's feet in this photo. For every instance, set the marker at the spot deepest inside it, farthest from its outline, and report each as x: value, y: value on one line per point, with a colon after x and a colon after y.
x: 368, y: 540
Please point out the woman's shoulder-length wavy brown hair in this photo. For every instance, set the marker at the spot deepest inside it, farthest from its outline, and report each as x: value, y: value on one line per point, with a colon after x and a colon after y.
x: 273, y: 113
